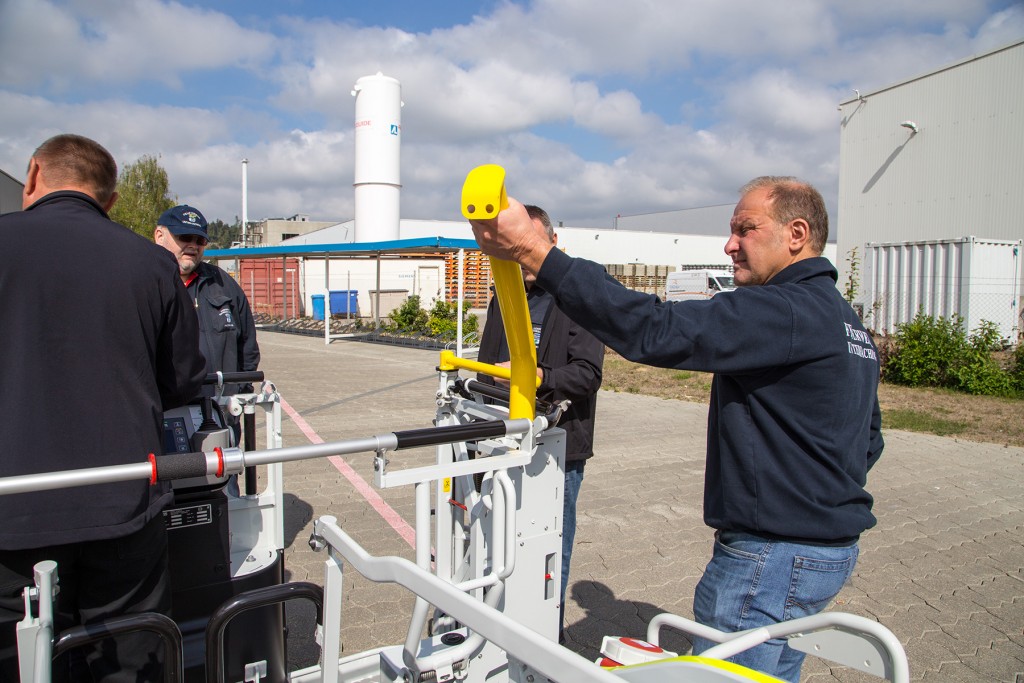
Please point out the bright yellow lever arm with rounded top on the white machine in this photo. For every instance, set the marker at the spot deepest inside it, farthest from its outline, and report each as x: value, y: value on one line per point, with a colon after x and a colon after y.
x: 483, y: 197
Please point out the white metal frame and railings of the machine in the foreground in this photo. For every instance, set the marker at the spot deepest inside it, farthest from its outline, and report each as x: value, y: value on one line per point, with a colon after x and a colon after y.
x: 494, y: 585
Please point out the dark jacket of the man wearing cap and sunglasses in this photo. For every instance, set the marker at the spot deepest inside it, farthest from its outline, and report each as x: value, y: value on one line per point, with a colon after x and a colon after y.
x: 228, y: 332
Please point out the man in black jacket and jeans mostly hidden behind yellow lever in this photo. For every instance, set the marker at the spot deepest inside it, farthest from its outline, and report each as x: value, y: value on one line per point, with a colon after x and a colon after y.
x: 570, y: 362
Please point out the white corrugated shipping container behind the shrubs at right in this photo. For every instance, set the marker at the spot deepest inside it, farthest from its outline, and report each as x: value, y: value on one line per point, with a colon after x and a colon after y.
x: 975, y: 279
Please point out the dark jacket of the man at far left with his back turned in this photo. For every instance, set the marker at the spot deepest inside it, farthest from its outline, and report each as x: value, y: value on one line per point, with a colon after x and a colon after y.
x: 98, y: 337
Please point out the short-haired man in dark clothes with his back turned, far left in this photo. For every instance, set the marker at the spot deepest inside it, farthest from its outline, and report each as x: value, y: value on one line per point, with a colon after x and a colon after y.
x: 88, y: 307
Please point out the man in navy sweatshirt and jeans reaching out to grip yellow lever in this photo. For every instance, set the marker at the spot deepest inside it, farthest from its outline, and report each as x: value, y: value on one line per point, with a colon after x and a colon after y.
x: 794, y: 422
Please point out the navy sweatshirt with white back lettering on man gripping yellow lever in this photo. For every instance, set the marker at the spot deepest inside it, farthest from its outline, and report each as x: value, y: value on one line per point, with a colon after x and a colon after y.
x: 794, y: 423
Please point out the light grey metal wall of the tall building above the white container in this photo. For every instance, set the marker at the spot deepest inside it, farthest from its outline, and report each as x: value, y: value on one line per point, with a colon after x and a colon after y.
x: 962, y: 175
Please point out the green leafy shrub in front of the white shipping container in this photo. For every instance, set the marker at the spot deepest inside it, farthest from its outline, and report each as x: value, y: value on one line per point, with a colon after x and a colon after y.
x: 938, y: 353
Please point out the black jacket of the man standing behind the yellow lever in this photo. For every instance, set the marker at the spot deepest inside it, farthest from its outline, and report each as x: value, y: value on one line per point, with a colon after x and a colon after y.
x: 572, y: 360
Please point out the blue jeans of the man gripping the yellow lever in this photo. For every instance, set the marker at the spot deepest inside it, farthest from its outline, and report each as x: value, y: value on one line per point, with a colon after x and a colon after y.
x: 753, y: 582
